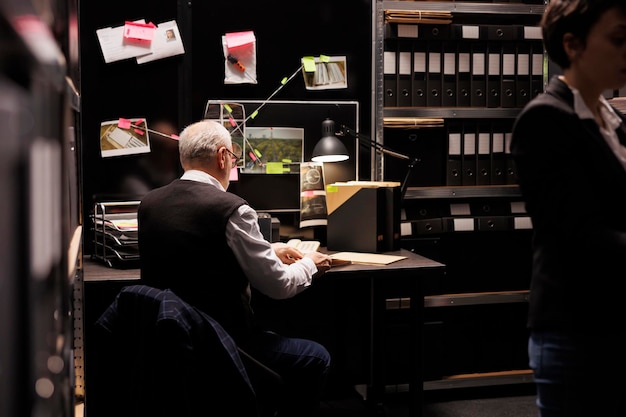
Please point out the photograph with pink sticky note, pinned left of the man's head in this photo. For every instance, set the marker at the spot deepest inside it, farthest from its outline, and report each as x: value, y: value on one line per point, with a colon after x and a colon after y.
x: 118, y: 139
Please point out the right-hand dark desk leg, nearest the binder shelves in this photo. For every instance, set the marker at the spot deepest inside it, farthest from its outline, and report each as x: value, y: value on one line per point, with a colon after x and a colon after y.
x: 416, y: 340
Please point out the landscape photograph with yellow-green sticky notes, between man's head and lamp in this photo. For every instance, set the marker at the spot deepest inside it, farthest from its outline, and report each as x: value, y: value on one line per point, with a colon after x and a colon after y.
x: 273, y: 150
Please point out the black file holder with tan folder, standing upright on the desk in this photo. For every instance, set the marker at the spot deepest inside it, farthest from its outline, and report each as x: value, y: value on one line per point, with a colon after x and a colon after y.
x: 363, y: 216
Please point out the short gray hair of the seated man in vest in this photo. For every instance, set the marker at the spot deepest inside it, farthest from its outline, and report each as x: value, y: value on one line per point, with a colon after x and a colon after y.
x: 201, y: 140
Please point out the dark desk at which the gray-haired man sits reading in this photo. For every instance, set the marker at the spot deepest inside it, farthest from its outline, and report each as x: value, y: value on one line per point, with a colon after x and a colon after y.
x: 407, y: 273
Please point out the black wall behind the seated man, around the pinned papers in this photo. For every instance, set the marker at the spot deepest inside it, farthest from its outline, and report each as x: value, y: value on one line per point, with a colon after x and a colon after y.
x: 173, y: 91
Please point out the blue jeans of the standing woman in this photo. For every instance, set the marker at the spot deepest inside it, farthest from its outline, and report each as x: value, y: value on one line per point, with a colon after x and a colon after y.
x: 578, y: 377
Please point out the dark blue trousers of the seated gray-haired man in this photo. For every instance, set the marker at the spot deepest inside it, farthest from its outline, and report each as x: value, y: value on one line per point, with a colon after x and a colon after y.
x: 303, y: 364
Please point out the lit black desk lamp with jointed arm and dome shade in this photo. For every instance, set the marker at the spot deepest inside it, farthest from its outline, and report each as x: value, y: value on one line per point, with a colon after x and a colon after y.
x: 330, y: 149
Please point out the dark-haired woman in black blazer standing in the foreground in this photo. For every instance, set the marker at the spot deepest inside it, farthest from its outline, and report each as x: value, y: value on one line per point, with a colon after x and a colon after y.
x: 569, y: 148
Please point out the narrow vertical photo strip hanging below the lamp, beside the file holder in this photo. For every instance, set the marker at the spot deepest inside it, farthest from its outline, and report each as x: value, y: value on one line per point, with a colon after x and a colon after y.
x: 313, y: 210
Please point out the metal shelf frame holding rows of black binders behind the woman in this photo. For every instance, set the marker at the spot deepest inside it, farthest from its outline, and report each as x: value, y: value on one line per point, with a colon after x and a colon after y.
x: 452, y: 195
